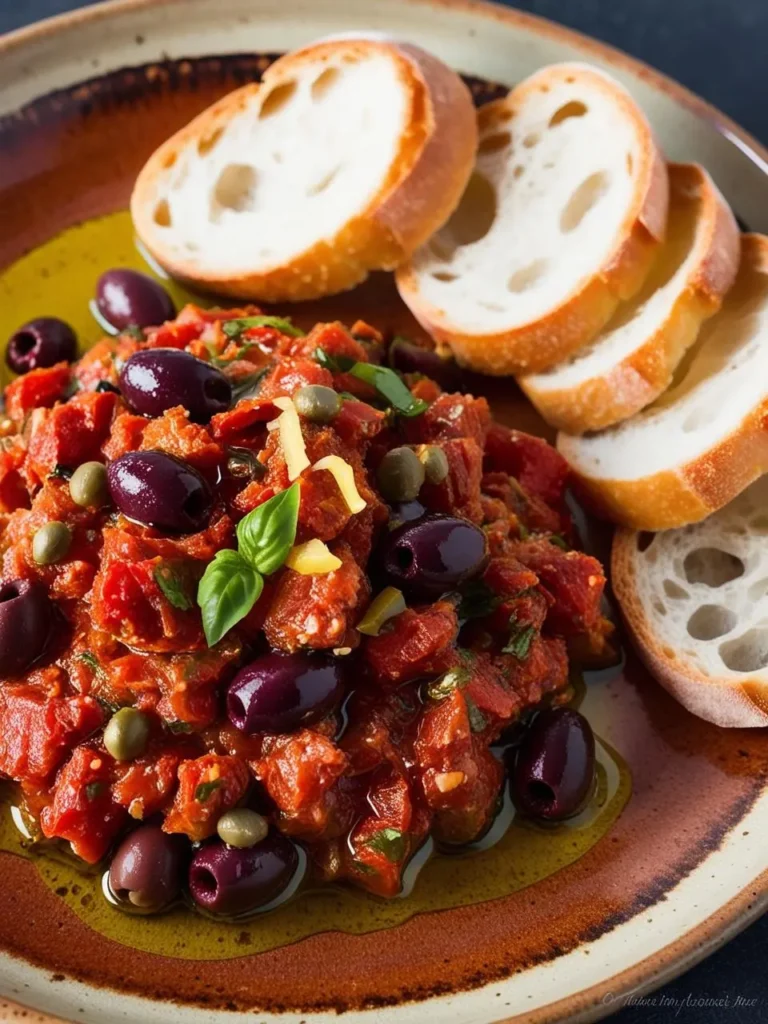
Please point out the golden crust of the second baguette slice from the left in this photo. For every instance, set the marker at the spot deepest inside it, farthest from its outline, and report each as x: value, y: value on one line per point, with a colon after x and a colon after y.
x: 536, y: 347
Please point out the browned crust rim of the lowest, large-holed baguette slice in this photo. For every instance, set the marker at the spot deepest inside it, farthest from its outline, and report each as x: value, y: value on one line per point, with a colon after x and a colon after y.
x: 736, y: 704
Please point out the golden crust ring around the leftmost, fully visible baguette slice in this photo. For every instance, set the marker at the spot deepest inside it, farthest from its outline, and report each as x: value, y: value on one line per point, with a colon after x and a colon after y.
x: 425, y: 182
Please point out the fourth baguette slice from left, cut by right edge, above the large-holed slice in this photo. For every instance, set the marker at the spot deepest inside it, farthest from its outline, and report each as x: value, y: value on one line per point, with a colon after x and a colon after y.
x: 705, y: 441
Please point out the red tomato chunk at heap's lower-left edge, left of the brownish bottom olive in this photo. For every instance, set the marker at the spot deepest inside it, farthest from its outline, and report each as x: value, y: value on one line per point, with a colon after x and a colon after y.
x: 83, y: 812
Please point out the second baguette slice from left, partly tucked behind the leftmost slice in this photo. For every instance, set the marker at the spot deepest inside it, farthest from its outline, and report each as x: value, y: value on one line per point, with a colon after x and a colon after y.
x: 561, y: 222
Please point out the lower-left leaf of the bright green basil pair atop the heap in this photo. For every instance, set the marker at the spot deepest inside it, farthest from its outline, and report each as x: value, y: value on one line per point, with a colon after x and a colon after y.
x: 229, y: 590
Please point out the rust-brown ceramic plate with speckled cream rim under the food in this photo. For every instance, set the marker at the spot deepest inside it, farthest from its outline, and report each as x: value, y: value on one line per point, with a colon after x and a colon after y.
x: 83, y: 101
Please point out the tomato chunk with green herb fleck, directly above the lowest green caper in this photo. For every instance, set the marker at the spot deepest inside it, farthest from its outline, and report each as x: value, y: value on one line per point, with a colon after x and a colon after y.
x: 208, y: 788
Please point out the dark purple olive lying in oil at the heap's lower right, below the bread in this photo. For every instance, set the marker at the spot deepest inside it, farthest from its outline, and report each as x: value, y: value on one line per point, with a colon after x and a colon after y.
x: 556, y: 766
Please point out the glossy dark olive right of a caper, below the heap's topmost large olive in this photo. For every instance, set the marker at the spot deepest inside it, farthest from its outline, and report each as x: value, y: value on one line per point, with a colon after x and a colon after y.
x: 160, y: 491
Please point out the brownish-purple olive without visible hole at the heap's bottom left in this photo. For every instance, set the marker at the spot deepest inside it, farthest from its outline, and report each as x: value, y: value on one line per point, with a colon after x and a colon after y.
x: 148, y: 867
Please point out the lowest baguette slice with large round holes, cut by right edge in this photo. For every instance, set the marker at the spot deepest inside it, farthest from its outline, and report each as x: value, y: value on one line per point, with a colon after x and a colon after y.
x: 696, y: 602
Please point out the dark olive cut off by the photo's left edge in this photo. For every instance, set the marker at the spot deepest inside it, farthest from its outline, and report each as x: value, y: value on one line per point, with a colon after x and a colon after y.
x: 27, y: 617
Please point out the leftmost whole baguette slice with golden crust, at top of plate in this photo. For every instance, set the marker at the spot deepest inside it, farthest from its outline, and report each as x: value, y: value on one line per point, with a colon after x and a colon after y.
x: 348, y: 156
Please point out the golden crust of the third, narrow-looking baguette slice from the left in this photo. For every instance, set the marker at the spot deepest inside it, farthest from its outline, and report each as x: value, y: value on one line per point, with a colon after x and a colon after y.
x: 638, y: 379
